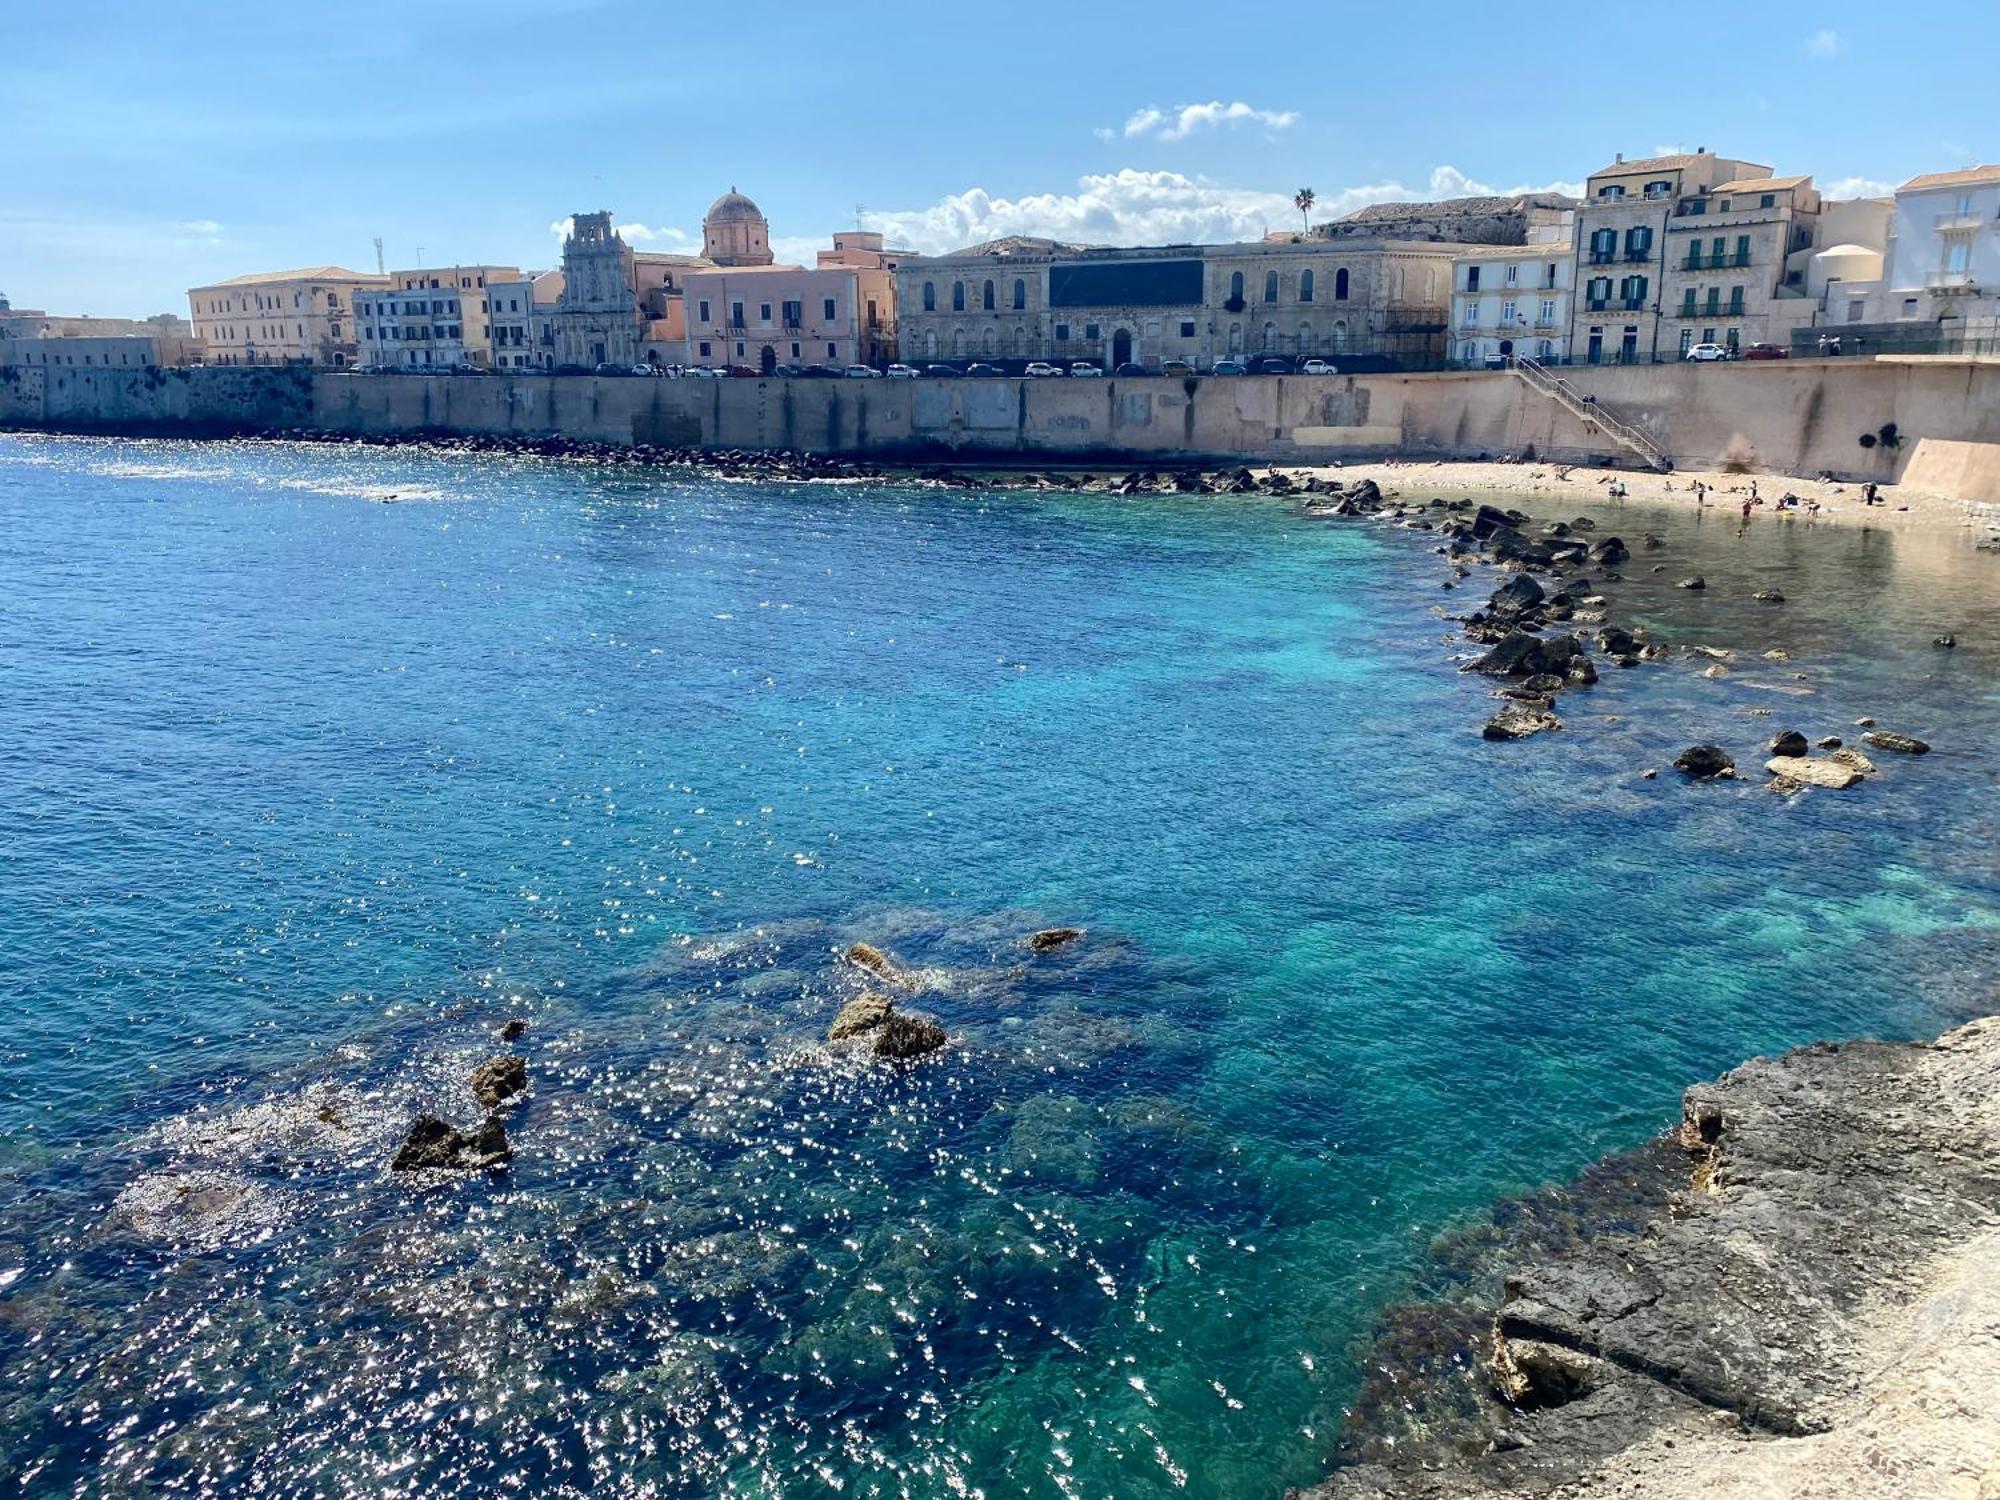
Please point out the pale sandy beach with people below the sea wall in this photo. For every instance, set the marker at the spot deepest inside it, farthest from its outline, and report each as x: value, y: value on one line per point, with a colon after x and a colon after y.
x: 1839, y: 503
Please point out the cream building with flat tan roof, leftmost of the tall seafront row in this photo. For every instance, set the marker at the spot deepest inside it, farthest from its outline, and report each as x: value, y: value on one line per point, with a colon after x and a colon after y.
x: 281, y: 317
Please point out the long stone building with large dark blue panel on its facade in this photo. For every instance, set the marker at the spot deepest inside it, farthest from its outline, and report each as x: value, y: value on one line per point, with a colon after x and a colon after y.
x: 1025, y: 299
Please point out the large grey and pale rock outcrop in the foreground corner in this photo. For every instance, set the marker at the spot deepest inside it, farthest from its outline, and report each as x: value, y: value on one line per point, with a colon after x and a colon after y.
x: 1795, y: 1295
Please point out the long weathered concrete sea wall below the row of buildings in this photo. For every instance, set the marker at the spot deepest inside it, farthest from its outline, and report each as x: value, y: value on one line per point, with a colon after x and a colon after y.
x: 1789, y: 417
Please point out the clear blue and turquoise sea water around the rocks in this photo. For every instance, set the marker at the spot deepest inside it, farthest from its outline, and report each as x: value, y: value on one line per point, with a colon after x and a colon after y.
x: 305, y: 795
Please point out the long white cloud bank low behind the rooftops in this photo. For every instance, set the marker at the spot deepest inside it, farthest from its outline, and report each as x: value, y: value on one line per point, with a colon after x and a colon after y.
x: 1133, y: 207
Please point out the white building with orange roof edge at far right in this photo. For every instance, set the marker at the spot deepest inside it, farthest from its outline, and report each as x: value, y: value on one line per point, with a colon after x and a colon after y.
x: 1945, y: 251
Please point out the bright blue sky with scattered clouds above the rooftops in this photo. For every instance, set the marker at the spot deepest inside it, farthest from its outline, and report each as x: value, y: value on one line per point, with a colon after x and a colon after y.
x: 147, y: 149
